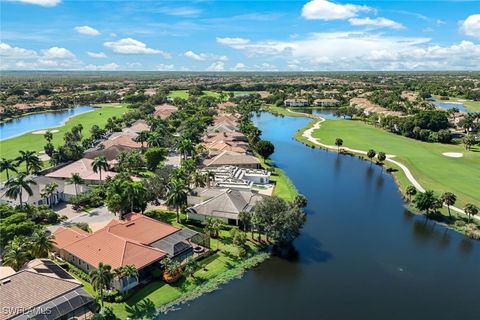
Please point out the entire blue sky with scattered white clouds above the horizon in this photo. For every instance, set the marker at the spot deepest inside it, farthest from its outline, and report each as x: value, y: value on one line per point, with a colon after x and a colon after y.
x: 203, y: 35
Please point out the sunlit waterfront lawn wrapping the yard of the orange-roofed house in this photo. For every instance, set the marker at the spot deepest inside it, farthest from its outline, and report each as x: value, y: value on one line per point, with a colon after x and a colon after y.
x: 211, y: 268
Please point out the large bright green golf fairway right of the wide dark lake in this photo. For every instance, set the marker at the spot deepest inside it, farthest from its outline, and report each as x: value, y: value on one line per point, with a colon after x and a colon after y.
x: 425, y: 160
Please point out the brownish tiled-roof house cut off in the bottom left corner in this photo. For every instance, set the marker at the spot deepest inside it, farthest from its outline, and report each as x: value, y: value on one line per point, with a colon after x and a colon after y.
x: 38, y: 292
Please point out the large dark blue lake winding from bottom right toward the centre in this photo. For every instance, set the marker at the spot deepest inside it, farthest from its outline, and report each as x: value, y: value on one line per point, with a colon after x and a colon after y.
x: 360, y: 254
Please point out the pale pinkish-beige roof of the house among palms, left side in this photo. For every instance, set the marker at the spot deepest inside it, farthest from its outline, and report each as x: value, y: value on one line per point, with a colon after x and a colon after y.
x: 83, y: 167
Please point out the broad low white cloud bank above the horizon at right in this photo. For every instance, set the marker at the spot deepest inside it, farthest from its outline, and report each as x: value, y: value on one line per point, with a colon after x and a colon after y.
x: 365, y: 51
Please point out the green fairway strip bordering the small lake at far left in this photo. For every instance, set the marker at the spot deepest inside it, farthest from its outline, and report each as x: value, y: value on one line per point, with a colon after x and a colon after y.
x: 9, y: 148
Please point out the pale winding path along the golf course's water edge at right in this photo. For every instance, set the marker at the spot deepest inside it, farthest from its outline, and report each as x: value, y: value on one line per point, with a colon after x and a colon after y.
x: 307, y: 133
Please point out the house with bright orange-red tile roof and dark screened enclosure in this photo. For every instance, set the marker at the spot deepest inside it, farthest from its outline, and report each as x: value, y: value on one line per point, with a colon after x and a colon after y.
x: 136, y: 240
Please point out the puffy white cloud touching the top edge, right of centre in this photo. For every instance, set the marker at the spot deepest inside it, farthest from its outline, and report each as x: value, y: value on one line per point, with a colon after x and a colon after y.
x: 326, y: 10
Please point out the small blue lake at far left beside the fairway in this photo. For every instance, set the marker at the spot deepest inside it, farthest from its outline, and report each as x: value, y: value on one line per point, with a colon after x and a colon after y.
x: 37, y: 121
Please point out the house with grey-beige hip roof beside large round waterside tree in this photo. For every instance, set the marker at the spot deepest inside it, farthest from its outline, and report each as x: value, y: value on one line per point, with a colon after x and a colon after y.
x: 224, y: 204
